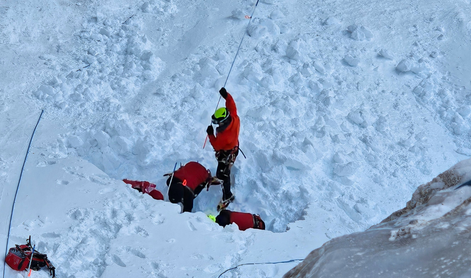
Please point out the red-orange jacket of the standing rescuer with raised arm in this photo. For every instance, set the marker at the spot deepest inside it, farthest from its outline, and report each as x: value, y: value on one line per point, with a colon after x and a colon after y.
x: 229, y: 138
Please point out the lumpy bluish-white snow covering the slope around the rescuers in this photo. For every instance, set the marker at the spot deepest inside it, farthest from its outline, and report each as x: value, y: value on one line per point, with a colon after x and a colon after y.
x: 345, y: 107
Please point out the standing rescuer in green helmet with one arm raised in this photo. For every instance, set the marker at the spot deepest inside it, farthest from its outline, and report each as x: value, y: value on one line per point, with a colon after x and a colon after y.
x: 225, y: 143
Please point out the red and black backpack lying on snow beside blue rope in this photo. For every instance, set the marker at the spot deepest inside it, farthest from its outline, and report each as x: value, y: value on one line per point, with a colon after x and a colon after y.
x: 18, y: 258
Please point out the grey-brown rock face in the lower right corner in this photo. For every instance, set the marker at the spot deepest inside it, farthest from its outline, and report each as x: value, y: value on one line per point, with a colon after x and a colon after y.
x: 430, y: 237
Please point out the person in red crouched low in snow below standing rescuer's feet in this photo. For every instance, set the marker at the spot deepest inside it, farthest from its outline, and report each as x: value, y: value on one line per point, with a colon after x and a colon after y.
x: 242, y: 219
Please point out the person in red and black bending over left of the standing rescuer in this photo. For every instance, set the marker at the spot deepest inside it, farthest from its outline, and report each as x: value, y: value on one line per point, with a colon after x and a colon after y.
x: 187, y: 182
